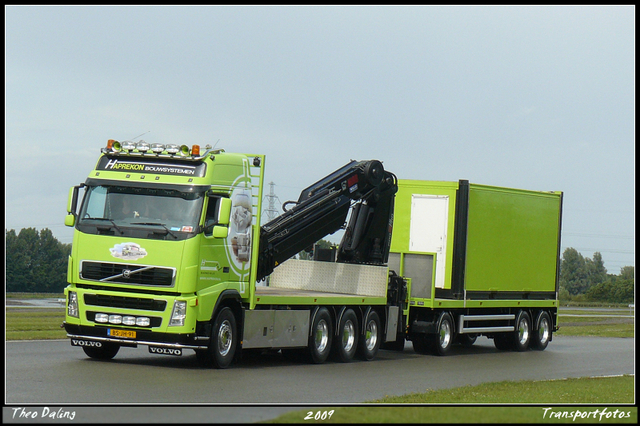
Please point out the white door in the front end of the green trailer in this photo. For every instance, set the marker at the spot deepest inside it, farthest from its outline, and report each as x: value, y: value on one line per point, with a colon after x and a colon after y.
x: 428, y: 229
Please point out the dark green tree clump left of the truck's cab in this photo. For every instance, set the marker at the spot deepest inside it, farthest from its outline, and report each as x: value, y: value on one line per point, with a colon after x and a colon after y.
x: 36, y: 262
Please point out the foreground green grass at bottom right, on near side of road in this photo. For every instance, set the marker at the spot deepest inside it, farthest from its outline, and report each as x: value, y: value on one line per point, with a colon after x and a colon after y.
x: 609, y: 393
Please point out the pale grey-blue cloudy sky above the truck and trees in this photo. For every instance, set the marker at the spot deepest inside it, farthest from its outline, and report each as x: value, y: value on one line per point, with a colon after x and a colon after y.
x: 532, y: 97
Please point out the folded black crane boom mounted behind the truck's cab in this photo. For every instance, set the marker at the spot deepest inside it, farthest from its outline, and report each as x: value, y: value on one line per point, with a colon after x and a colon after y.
x: 322, y: 209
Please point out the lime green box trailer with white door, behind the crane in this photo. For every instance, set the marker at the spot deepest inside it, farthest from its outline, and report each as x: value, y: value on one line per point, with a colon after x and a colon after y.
x: 481, y: 255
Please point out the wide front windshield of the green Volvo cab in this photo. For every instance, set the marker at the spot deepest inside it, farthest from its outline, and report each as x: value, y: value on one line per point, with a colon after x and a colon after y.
x: 128, y: 211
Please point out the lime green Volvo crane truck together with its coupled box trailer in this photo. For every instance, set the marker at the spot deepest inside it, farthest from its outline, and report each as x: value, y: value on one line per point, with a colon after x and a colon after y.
x: 169, y: 252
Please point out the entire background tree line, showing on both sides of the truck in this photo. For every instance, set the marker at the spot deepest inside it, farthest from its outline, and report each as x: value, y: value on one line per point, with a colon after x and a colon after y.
x: 36, y: 262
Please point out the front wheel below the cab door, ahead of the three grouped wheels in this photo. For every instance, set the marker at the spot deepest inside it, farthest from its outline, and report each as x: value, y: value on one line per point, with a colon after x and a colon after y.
x: 222, y: 344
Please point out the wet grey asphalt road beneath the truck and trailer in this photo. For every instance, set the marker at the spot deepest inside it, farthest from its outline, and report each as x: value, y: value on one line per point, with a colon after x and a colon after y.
x: 55, y: 374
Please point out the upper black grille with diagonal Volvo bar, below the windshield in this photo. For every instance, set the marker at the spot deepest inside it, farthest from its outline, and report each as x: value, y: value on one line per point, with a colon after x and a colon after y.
x: 127, y: 274
